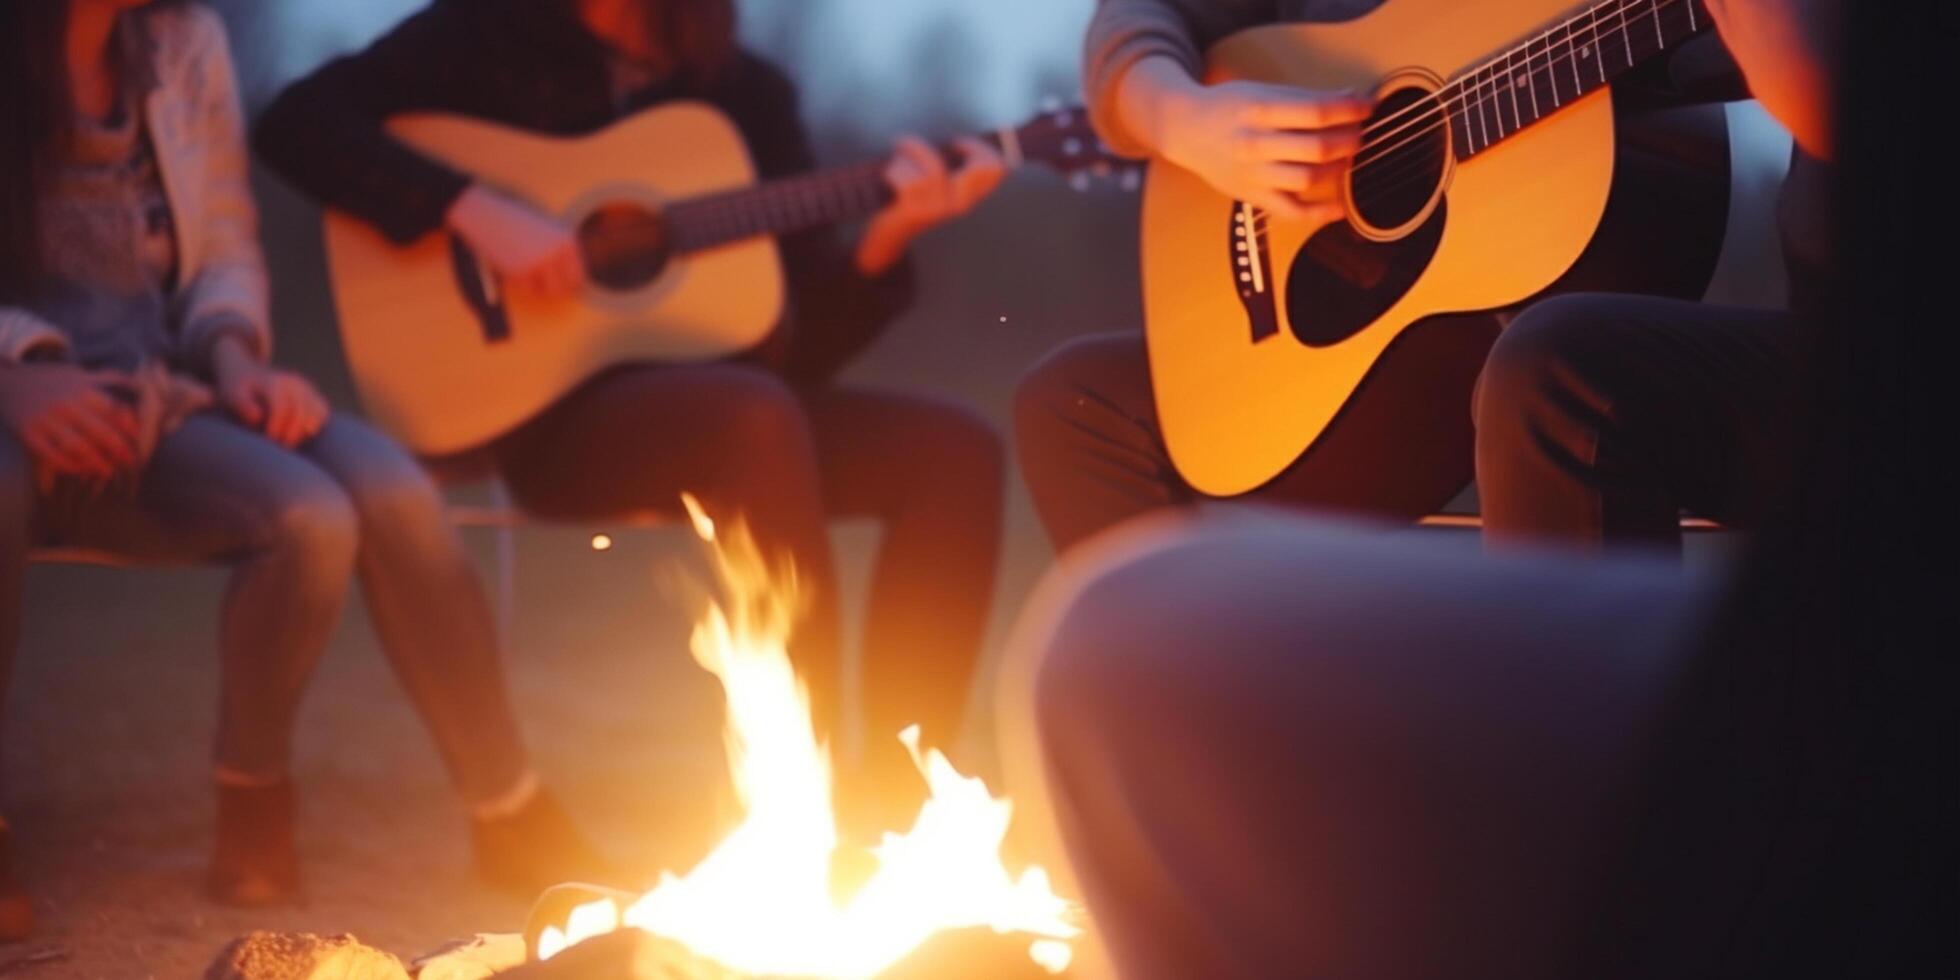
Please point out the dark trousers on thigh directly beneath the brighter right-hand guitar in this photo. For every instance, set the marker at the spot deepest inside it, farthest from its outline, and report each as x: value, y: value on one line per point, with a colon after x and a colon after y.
x: 1095, y: 456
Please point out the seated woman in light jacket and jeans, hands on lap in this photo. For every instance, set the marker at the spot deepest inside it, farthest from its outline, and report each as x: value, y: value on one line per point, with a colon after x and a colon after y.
x: 142, y: 418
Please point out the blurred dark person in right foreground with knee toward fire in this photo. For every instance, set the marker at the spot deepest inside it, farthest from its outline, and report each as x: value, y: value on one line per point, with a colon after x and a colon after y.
x: 1295, y: 750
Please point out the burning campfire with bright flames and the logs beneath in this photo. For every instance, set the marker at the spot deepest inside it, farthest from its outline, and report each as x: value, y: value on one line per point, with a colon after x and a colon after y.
x: 763, y: 903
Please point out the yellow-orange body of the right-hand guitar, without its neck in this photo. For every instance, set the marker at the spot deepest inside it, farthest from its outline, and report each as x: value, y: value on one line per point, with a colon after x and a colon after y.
x: 1240, y: 399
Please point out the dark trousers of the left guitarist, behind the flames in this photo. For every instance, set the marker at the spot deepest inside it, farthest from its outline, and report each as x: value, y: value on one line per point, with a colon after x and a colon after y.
x: 785, y: 460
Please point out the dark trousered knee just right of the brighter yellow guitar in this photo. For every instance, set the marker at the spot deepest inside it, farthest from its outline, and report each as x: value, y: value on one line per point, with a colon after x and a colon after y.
x: 1602, y: 418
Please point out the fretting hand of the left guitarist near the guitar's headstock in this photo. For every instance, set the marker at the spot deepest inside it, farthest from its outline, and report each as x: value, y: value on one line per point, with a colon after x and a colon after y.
x: 924, y: 195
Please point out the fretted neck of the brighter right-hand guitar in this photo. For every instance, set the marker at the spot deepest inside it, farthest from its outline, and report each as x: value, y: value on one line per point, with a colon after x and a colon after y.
x: 1563, y: 66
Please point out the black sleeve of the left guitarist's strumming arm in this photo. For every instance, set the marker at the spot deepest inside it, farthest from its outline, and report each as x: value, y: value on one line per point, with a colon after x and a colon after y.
x: 326, y: 132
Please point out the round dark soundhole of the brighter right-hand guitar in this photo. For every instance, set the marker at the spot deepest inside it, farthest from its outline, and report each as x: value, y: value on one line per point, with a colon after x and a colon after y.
x: 1402, y: 164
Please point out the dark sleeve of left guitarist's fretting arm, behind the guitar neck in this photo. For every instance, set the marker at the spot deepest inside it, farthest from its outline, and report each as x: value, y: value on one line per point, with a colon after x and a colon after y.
x: 838, y: 311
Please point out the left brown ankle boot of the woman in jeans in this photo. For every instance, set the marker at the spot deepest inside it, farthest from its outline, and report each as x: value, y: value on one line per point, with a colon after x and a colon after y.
x: 256, y: 861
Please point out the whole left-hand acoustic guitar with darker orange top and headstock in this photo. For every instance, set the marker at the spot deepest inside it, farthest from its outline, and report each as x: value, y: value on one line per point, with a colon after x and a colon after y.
x: 679, y: 244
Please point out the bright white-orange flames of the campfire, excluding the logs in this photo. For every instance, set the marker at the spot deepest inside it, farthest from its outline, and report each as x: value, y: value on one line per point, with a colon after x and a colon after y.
x: 761, y: 903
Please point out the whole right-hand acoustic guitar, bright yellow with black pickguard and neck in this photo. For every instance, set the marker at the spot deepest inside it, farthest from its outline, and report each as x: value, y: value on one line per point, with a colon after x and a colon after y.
x: 1483, y: 177
